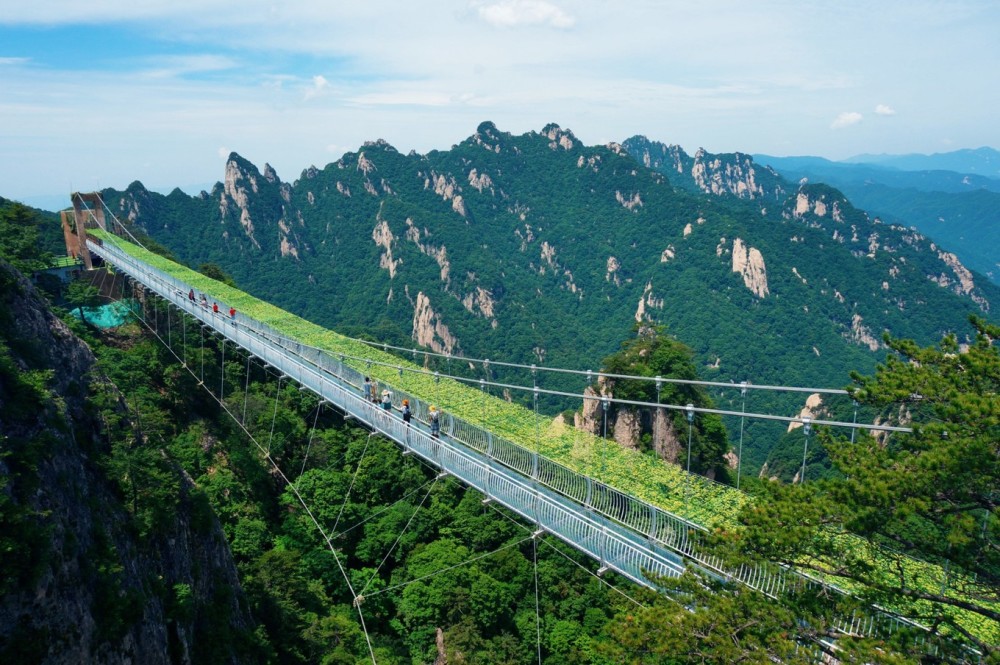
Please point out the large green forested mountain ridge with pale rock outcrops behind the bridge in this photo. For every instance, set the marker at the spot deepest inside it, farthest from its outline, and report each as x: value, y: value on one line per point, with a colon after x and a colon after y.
x: 539, y: 249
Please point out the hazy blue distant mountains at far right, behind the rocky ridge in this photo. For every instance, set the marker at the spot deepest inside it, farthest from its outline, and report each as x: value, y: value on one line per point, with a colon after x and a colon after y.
x: 960, y: 210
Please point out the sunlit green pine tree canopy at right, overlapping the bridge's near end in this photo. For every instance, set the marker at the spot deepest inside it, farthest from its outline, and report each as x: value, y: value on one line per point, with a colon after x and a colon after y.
x: 923, y: 507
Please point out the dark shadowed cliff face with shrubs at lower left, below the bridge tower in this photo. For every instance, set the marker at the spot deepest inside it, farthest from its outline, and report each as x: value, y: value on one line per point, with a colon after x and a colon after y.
x: 80, y: 583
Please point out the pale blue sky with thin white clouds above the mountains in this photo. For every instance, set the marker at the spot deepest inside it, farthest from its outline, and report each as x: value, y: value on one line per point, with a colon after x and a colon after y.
x: 105, y: 92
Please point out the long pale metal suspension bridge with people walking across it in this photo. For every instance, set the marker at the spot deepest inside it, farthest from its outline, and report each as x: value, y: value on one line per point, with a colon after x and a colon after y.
x: 623, y: 533
